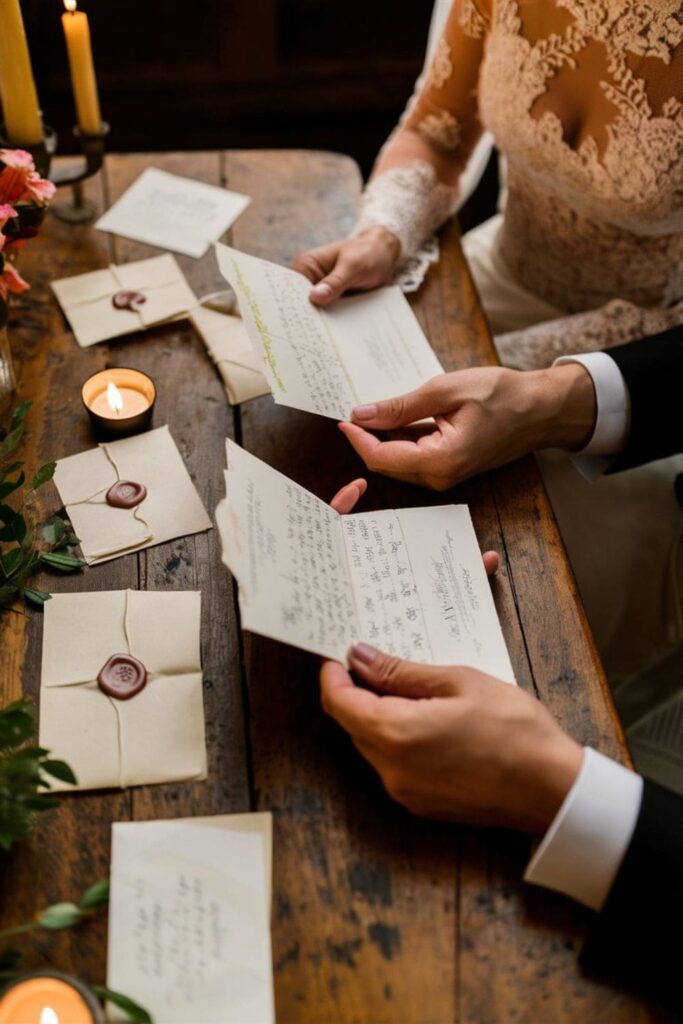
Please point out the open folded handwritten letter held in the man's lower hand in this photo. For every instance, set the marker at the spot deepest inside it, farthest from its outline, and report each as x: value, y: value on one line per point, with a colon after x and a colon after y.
x: 411, y: 582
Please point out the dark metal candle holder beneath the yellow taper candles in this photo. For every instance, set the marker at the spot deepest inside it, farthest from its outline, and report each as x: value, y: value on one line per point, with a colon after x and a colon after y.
x: 74, y: 174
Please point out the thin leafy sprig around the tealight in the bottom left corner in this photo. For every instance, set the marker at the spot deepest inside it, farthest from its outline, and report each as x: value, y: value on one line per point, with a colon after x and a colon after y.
x: 57, y: 918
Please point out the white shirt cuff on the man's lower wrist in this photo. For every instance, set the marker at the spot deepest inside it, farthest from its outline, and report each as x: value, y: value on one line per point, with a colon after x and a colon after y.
x: 583, y: 850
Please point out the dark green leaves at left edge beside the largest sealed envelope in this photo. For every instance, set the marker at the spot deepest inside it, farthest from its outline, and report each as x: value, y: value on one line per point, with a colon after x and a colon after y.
x: 25, y: 773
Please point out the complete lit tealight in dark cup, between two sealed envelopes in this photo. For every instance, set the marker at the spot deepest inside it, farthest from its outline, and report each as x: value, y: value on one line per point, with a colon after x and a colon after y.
x: 120, y: 401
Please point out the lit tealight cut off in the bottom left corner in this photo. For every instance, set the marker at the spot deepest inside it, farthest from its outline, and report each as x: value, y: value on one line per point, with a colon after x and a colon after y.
x: 50, y: 998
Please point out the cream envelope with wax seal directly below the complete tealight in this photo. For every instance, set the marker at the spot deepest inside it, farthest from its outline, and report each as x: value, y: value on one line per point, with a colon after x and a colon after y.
x: 172, y: 508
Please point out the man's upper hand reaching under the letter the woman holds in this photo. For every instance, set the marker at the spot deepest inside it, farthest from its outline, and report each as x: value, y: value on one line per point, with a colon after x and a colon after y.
x: 483, y: 418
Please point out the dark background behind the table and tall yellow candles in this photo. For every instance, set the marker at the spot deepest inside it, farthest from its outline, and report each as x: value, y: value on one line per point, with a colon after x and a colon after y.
x: 238, y: 73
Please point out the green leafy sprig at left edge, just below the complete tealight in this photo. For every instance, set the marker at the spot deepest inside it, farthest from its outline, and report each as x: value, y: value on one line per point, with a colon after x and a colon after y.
x: 26, y: 547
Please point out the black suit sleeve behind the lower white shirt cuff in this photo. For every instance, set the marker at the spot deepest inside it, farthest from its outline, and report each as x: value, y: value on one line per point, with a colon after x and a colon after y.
x: 636, y: 941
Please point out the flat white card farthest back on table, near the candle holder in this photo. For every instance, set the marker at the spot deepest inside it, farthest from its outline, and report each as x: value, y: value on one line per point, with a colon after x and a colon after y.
x: 174, y: 212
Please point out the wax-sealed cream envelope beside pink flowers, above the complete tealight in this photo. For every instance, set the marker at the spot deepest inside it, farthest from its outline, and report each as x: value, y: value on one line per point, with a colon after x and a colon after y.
x: 88, y: 298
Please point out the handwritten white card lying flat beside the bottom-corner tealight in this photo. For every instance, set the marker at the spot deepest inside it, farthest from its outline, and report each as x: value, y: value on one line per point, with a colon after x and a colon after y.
x: 190, y: 919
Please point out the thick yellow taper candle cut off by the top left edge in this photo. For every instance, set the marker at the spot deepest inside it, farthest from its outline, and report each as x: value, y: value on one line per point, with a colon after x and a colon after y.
x: 18, y: 90
